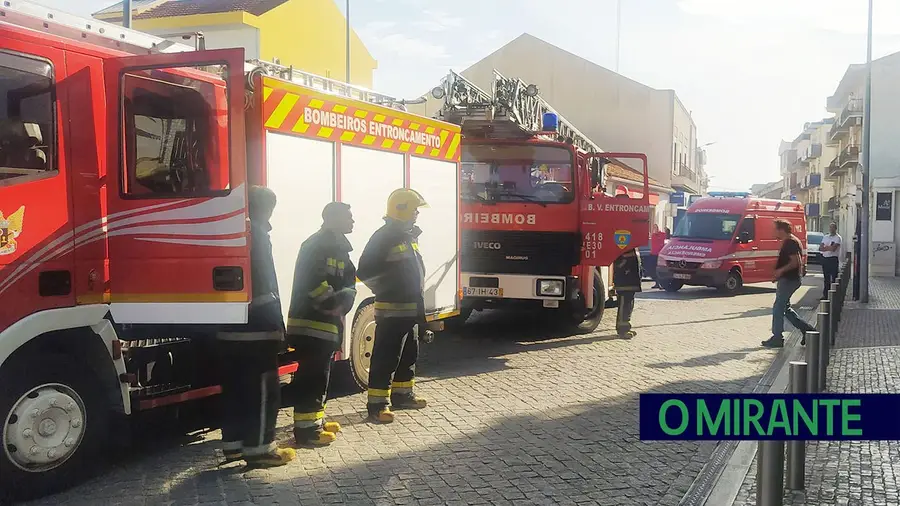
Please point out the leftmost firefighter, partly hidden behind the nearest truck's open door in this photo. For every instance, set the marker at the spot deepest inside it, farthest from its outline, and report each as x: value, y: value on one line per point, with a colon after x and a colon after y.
x: 248, y: 354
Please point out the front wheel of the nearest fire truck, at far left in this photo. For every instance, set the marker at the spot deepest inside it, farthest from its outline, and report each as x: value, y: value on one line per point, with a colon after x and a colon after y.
x: 55, y: 426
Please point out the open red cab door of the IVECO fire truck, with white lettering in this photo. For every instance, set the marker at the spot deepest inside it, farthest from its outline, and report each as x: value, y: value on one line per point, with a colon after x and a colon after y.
x: 610, y: 224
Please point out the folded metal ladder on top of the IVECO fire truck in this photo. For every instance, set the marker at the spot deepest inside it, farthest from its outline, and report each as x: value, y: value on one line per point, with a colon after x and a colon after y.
x: 512, y: 109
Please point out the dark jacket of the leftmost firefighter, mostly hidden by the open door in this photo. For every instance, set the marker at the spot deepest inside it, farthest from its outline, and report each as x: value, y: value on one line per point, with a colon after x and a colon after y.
x: 264, y: 317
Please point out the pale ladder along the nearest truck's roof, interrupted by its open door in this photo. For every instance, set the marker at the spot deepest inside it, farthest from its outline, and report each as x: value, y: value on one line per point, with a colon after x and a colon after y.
x: 100, y: 33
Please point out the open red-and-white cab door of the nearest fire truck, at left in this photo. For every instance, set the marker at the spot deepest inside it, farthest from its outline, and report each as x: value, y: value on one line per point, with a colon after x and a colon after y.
x: 177, y: 221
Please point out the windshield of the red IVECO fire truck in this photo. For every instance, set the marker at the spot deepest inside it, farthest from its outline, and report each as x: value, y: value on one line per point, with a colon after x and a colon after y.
x: 517, y: 173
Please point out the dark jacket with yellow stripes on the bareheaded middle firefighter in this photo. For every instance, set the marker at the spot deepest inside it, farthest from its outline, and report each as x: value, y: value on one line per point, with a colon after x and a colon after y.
x: 324, y: 281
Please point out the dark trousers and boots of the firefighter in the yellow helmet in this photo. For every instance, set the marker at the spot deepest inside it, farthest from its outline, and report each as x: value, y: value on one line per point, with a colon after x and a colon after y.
x: 394, y: 356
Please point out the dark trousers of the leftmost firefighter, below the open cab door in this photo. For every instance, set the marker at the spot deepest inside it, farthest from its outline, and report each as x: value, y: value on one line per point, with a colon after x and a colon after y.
x: 250, y: 394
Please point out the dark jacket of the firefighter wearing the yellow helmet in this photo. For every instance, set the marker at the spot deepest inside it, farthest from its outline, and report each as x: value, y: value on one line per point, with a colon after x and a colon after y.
x: 392, y: 268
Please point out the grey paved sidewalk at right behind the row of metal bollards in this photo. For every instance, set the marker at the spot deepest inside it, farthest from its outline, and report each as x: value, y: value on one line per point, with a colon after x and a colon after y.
x: 865, y: 359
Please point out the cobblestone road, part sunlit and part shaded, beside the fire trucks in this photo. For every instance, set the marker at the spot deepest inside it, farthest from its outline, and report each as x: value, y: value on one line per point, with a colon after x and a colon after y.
x: 514, y: 418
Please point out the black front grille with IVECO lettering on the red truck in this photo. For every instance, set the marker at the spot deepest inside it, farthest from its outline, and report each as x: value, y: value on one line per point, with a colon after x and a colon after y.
x: 507, y: 252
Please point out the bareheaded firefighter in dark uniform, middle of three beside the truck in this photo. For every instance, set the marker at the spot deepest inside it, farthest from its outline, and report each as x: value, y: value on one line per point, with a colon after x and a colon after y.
x: 323, y: 293
